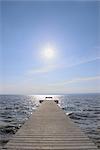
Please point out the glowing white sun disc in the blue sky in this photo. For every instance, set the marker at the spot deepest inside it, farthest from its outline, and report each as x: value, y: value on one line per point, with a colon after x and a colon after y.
x: 48, y: 52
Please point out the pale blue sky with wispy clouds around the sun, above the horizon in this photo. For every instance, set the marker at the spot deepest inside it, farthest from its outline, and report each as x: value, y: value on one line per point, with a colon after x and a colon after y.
x: 70, y: 27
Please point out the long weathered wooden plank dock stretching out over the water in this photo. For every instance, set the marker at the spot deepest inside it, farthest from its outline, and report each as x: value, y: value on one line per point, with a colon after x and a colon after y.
x: 50, y: 129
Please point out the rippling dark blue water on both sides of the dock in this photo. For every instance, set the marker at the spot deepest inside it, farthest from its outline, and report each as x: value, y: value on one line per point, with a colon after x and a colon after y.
x: 83, y: 109
